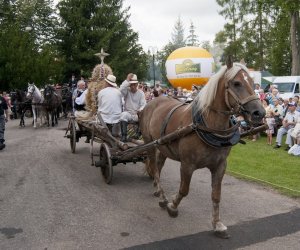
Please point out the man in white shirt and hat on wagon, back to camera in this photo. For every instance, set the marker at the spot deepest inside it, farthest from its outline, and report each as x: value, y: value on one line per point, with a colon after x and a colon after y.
x: 110, y: 104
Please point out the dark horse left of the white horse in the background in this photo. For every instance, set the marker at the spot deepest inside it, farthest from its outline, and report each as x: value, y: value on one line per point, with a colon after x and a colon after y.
x: 21, y: 104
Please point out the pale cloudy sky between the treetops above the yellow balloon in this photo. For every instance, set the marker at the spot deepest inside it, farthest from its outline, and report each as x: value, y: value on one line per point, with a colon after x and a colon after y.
x: 154, y: 20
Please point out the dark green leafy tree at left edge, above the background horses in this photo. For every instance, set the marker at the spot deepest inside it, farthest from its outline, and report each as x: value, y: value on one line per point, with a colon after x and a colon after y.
x: 25, y: 55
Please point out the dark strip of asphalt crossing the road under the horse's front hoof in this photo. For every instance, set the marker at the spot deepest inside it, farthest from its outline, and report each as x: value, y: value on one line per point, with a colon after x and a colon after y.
x: 242, y: 235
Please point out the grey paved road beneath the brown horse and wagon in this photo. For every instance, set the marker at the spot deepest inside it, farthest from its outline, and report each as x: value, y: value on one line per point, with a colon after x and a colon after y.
x: 53, y: 199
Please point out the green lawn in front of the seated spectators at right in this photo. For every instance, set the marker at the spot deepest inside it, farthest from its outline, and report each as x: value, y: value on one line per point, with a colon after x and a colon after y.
x: 259, y: 162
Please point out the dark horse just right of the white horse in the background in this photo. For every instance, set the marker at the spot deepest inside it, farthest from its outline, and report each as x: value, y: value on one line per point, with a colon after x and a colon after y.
x: 52, y: 104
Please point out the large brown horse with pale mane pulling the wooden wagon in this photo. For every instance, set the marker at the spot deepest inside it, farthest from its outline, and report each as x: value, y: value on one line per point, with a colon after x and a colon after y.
x: 229, y: 92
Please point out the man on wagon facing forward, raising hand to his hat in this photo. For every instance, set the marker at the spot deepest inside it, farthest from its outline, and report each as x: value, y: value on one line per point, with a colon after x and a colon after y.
x: 134, y: 103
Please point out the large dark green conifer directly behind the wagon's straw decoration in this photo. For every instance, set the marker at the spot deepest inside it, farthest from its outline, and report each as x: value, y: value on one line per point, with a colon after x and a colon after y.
x: 89, y: 25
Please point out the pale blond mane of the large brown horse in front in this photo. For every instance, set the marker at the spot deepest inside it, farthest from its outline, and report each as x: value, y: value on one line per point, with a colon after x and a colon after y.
x: 207, y: 95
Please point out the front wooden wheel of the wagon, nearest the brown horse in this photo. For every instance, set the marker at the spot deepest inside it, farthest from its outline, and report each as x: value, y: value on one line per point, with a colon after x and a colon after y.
x: 105, y: 163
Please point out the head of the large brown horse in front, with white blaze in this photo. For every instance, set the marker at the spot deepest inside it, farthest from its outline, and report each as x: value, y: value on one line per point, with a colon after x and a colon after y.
x: 231, y: 92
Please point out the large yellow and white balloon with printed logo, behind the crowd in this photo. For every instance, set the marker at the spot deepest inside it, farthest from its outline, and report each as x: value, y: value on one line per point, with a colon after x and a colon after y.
x: 189, y: 65
